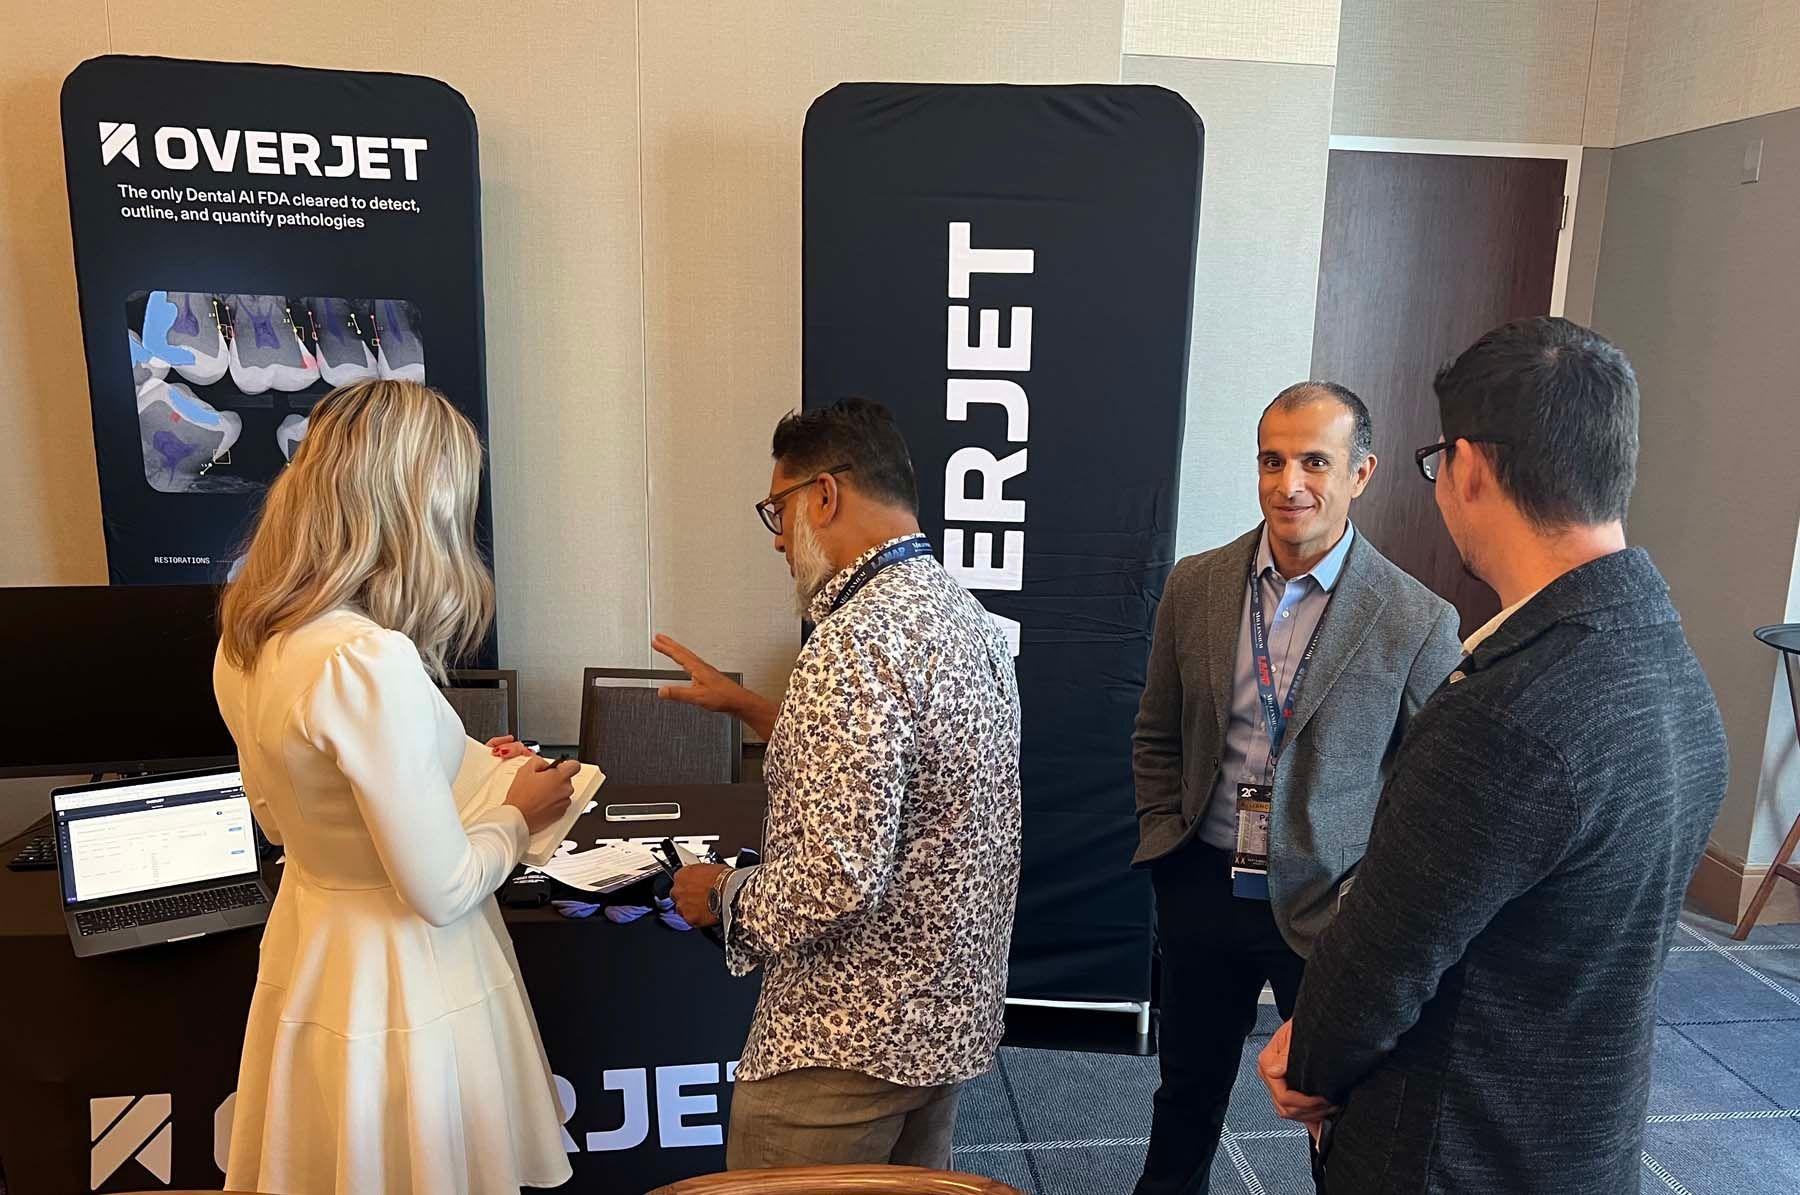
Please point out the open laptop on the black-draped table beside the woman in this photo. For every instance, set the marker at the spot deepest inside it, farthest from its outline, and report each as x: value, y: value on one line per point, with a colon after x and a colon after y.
x: 157, y: 859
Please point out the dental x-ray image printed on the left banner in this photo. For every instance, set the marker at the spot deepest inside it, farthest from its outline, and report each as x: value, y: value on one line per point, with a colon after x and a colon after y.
x: 226, y: 382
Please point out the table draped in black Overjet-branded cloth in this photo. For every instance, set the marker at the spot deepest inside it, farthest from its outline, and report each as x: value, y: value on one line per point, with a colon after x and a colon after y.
x: 141, y: 1048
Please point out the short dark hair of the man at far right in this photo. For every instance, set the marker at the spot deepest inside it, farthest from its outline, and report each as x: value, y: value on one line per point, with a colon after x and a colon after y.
x: 1563, y: 404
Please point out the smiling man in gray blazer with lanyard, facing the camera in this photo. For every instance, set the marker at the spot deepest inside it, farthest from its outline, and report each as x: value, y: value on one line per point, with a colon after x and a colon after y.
x: 1282, y: 674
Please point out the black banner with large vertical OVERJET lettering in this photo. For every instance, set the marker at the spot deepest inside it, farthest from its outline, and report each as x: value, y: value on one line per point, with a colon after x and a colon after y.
x: 1011, y: 269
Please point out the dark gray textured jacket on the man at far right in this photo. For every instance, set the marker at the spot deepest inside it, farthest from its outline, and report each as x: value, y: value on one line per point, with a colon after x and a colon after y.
x: 1484, y: 1005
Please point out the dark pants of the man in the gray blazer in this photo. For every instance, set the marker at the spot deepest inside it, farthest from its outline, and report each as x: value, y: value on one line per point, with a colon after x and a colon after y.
x: 1218, y: 953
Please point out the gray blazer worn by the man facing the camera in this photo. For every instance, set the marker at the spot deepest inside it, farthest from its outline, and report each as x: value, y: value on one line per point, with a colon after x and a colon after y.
x: 1389, y: 643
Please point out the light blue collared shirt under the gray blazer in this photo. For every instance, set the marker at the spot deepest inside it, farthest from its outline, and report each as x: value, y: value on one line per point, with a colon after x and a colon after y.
x: 1293, y: 609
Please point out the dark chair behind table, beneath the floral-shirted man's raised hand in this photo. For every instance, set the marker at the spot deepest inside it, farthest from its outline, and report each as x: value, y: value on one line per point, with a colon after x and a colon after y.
x: 640, y: 739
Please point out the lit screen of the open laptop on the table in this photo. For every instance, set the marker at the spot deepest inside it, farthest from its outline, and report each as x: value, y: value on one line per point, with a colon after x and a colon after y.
x: 154, y: 834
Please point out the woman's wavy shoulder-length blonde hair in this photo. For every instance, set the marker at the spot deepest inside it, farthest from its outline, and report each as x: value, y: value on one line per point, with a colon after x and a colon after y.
x: 377, y: 514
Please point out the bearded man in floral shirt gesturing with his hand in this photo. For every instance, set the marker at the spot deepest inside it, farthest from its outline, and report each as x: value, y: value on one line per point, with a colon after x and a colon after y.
x: 883, y: 910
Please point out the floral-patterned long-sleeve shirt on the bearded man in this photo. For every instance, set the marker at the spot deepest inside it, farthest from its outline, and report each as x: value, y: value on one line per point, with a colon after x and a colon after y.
x: 885, y: 903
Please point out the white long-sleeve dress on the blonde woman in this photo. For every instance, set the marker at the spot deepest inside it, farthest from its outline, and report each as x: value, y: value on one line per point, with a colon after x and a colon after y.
x: 391, y: 1047
